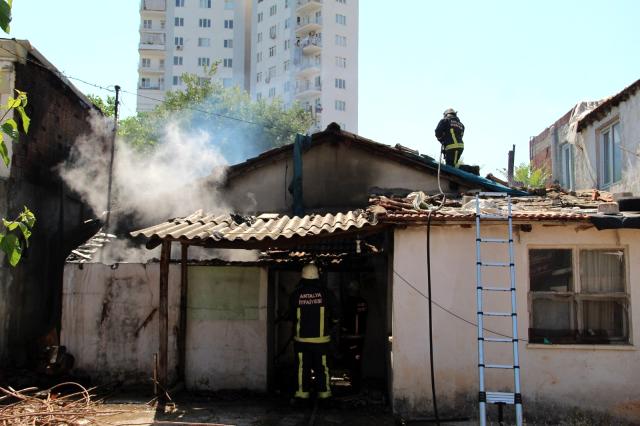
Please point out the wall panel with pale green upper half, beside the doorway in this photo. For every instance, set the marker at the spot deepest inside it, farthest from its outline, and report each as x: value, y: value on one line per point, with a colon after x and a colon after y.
x: 227, y: 328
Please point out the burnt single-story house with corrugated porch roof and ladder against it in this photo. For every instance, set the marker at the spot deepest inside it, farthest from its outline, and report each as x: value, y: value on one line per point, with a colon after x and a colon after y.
x: 216, y: 325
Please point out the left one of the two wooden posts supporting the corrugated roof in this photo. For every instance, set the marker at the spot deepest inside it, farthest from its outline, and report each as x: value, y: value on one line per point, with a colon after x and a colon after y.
x: 163, y: 314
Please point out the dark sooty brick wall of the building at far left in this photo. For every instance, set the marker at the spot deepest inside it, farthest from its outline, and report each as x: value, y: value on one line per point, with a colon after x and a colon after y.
x: 30, y: 293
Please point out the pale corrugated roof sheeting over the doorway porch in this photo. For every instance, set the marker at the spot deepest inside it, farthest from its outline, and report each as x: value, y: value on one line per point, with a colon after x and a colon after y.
x: 228, y: 227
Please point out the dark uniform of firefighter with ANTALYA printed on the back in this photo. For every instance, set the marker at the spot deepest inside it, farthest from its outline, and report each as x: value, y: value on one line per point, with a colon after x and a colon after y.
x: 315, y: 315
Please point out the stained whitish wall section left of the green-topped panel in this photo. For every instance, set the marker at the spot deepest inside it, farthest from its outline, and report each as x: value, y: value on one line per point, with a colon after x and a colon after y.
x: 104, y: 306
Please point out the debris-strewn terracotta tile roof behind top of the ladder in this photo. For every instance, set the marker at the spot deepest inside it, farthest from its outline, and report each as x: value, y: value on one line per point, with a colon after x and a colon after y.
x: 554, y: 207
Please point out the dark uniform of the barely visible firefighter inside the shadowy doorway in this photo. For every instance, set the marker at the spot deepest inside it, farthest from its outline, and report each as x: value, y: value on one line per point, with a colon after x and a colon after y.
x: 354, y: 325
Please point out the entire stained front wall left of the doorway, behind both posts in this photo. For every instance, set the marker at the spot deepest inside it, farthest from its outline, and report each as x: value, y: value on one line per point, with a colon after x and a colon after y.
x: 110, y: 323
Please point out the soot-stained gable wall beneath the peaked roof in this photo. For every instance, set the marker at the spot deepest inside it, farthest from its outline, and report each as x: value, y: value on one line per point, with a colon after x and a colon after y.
x: 336, y: 177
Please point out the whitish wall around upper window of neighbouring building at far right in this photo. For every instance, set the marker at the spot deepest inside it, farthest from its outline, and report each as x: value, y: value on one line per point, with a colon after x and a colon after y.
x: 586, y: 165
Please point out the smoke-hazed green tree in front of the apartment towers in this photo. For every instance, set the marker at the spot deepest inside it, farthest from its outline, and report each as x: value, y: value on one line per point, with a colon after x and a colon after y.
x: 224, y: 112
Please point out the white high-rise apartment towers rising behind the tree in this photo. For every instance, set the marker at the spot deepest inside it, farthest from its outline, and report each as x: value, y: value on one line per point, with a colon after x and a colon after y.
x: 302, y: 51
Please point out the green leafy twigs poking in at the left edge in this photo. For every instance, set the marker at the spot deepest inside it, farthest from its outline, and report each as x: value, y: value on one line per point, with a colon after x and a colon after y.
x: 15, y: 235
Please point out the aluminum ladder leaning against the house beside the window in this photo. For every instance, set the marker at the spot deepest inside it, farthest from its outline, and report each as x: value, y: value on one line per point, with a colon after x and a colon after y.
x: 489, y: 397
